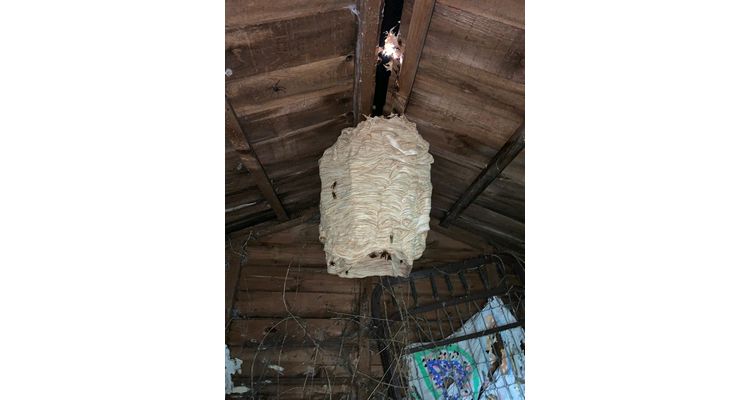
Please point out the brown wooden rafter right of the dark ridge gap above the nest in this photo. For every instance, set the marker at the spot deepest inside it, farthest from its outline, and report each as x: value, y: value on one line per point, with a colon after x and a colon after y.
x: 418, y: 26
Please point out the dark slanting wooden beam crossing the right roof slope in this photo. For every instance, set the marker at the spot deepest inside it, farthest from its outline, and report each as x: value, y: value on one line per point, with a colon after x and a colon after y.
x: 507, y: 153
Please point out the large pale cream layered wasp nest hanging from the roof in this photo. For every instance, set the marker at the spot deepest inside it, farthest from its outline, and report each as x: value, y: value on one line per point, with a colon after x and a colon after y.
x: 375, y: 199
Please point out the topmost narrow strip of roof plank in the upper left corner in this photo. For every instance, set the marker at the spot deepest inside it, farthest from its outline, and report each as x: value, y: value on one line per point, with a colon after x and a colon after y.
x: 240, y: 13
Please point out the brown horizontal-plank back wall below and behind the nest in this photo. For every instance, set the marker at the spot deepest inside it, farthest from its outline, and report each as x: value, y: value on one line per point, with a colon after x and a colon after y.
x: 280, y: 286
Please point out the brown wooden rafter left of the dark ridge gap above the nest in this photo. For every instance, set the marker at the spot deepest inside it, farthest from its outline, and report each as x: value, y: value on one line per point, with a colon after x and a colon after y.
x: 370, y: 14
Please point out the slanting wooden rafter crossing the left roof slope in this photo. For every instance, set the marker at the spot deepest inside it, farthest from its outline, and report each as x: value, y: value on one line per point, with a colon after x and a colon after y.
x: 250, y: 160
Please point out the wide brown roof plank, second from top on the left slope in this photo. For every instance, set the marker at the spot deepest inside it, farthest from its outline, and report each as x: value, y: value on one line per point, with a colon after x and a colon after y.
x: 281, y: 44
